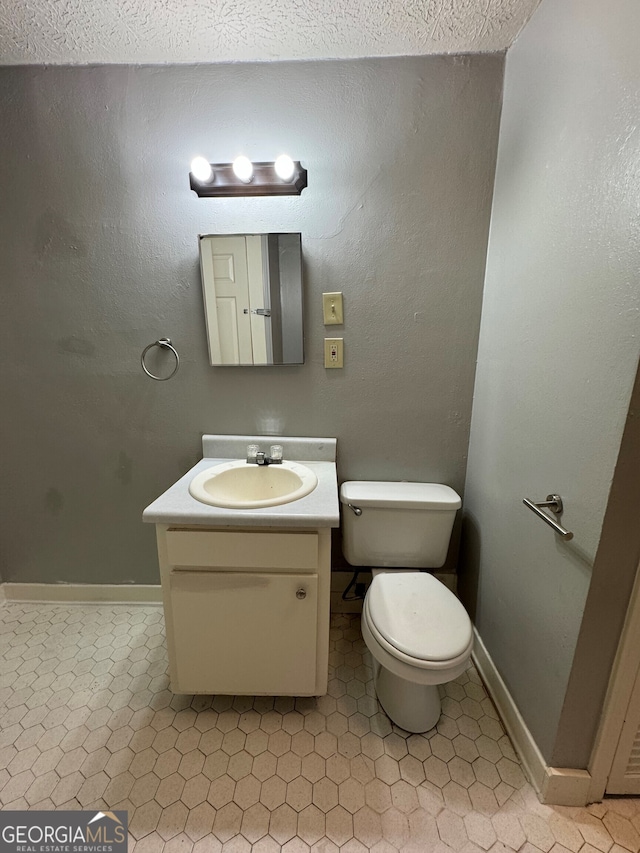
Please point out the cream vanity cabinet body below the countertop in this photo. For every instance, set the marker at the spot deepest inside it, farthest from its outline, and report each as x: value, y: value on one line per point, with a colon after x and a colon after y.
x: 246, y: 610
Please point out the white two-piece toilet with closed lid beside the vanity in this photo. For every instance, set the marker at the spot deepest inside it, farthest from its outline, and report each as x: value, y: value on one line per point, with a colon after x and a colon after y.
x: 416, y: 629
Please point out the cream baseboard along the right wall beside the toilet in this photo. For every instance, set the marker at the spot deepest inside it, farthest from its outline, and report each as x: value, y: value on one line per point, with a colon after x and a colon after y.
x: 561, y: 786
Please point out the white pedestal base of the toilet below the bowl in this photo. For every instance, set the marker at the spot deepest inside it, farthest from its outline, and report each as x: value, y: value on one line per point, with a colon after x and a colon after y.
x: 413, y: 707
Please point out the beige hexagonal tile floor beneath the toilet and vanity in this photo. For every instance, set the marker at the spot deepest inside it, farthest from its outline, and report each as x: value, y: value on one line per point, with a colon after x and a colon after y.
x: 88, y: 722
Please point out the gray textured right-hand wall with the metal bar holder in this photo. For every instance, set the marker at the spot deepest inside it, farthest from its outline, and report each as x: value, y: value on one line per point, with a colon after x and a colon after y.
x: 557, y: 356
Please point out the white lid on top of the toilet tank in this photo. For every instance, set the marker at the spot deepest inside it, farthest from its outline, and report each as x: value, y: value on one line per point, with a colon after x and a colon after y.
x: 433, y: 496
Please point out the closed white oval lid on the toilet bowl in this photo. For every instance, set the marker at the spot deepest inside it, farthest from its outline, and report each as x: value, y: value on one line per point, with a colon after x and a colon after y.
x: 418, y: 615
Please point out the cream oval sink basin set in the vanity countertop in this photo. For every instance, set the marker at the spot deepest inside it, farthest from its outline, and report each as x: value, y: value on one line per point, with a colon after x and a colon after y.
x: 239, y: 485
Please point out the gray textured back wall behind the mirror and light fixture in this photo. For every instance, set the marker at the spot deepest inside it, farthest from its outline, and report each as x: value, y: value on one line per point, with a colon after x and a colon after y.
x: 98, y: 258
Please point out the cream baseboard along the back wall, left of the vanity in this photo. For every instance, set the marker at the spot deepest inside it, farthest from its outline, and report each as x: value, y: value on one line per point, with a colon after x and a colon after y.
x: 82, y: 593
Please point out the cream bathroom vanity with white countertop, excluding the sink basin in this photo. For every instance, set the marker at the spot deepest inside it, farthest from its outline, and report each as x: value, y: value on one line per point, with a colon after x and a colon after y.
x: 246, y: 591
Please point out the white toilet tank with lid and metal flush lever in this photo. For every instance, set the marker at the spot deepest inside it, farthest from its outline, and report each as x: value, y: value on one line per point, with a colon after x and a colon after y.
x: 400, y: 524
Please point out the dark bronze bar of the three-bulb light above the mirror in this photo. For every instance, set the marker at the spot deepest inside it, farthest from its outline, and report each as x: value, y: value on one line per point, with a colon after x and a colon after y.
x: 265, y: 181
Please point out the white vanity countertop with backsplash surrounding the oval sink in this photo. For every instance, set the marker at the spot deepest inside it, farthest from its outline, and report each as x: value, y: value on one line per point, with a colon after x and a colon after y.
x: 321, y: 508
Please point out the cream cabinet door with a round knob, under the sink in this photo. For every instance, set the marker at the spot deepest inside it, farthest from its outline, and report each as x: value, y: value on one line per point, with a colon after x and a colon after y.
x: 239, y: 632
